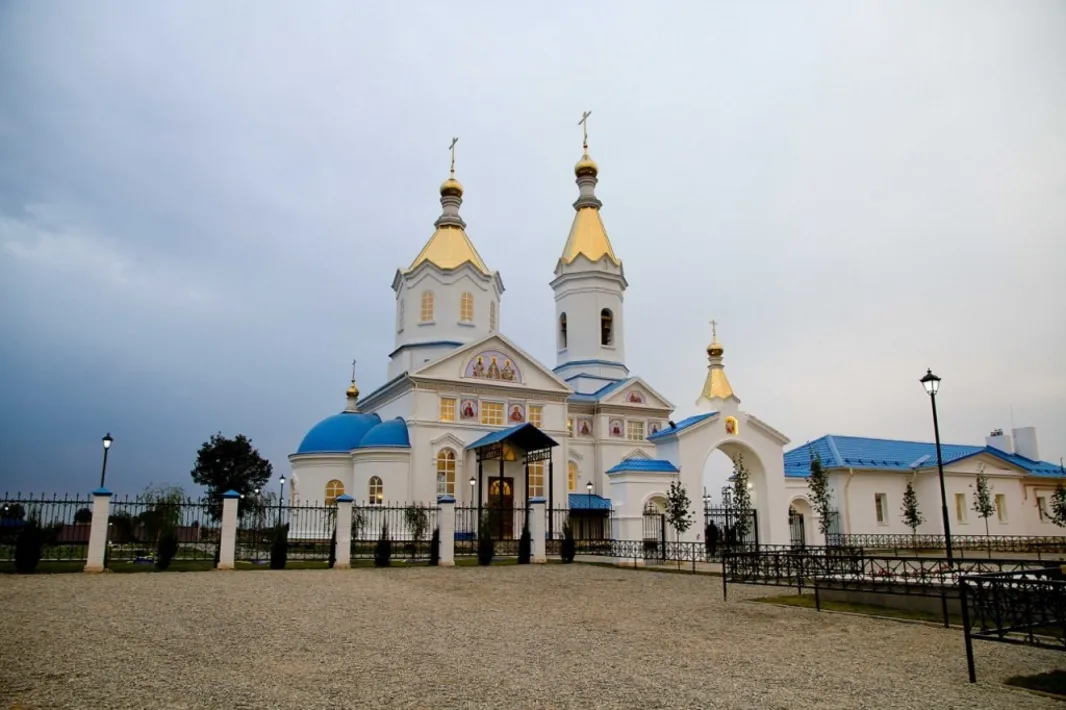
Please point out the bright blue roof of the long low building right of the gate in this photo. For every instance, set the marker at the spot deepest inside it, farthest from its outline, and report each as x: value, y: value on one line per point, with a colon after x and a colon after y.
x: 895, y: 456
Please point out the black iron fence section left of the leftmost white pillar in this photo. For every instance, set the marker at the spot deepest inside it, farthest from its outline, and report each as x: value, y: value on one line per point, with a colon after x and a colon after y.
x: 64, y: 522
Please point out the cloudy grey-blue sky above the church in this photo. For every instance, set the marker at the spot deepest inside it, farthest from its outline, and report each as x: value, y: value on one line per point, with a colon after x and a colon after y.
x: 203, y: 206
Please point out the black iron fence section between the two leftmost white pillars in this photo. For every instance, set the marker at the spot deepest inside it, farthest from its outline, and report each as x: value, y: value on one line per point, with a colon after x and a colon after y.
x: 137, y: 525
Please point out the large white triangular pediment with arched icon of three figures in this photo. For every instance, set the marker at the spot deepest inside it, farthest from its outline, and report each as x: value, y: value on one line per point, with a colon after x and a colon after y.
x: 493, y: 361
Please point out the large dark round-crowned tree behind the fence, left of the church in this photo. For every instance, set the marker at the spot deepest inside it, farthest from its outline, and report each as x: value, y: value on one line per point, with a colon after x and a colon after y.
x: 225, y: 464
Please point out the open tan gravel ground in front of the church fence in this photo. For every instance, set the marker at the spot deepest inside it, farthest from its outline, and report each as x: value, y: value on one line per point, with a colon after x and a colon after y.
x: 545, y: 637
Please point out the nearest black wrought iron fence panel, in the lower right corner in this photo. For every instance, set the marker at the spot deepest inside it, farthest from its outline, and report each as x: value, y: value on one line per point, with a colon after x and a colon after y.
x: 1022, y: 607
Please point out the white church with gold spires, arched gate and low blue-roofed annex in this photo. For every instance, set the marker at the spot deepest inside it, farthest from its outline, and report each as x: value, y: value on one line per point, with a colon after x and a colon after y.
x: 459, y: 391
